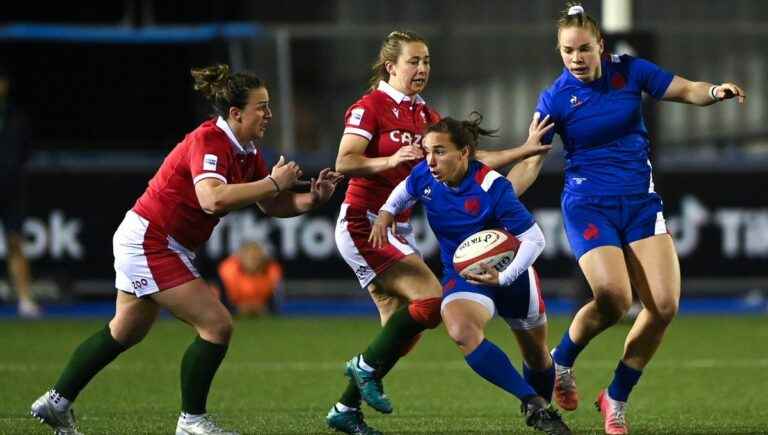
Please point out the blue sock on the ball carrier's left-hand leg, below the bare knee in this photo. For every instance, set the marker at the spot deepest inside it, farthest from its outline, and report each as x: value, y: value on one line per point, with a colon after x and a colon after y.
x: 492, y: 363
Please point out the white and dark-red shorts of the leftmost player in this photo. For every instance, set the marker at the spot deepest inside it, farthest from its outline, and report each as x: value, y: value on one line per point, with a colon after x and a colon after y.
x: 147, y: 260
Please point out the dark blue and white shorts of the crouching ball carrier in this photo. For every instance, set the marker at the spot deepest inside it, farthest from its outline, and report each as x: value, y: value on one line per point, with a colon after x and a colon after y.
x: 521, y: 304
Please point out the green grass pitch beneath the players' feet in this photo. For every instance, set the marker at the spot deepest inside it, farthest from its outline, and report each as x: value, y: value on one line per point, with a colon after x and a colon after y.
x: 282, y: 375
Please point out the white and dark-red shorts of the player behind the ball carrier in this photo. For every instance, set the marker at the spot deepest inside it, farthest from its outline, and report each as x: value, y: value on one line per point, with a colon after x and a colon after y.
x: 352, y: 230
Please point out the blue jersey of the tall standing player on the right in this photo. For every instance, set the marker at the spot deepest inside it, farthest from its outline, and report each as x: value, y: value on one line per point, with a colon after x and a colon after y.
x: 601, y: 125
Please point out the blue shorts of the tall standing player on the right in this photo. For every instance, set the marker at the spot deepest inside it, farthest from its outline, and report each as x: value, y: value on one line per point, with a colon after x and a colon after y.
x: 591, y: 221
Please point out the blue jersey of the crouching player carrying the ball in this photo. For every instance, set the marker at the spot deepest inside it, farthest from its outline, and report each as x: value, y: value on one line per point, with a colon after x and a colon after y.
x: 484, y: 199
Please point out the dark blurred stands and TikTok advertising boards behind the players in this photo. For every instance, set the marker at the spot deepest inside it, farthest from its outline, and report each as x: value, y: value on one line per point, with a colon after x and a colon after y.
x: 109, y: 93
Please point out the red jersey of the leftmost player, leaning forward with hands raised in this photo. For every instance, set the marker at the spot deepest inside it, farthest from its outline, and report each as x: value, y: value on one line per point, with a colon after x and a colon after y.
x: 209, y: 151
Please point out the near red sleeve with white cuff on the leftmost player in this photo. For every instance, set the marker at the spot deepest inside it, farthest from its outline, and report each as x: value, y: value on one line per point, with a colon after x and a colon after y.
x: 209, y: 157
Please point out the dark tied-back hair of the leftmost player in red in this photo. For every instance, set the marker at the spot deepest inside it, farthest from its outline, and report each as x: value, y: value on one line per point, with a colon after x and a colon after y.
x: 224, y: 89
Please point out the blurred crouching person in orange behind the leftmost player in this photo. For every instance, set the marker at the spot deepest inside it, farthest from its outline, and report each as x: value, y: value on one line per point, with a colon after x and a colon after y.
x: 252, y: 280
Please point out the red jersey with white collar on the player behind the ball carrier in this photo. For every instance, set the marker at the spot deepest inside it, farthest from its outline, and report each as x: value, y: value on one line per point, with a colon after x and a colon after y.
x: 388, y: 119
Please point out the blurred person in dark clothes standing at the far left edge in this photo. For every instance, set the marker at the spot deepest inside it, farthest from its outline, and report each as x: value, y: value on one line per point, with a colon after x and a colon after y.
x: 14, y: 146
